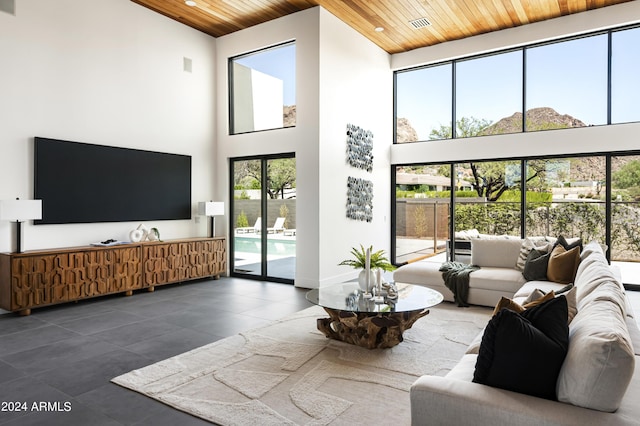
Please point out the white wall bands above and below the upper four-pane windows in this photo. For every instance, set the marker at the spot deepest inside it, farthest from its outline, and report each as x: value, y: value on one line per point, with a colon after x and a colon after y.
x: 553, y: 142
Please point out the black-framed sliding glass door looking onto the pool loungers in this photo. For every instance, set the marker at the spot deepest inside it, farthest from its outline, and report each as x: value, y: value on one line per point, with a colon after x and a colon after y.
x: 264, y: 217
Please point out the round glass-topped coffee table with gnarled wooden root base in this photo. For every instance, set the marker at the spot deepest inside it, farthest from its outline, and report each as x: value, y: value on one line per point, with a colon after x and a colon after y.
x: 361, y: 321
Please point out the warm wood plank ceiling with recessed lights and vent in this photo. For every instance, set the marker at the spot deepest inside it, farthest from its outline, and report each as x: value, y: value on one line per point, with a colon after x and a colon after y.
x: 447, y: 19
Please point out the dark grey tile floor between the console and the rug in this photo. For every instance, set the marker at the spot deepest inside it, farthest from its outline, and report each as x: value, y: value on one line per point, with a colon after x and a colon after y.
x: 66, y: 355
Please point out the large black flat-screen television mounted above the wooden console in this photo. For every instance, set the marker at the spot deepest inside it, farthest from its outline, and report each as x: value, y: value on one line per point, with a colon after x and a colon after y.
x: 85, y: 183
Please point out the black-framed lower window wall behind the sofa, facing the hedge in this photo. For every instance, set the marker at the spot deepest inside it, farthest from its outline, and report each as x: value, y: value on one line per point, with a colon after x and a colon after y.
x: 563, y: 196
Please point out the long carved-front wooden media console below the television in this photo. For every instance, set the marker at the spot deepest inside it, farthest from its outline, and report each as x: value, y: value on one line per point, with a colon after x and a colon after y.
x: 46, y: 277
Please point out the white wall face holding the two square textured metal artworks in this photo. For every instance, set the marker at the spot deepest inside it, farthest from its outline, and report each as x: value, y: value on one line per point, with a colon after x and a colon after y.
x: 356, y: 87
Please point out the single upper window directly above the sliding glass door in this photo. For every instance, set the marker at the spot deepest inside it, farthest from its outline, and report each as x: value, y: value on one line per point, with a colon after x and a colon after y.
x: 262, y: 90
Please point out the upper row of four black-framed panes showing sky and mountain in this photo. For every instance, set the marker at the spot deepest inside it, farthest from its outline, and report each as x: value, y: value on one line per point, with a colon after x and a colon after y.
x: 584, y: 81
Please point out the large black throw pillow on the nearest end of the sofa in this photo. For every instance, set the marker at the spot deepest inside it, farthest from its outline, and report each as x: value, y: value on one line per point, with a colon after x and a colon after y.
x: 524, y: 352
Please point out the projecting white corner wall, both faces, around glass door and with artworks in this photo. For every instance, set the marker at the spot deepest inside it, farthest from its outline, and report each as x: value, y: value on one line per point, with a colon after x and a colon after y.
x: 341, y: 78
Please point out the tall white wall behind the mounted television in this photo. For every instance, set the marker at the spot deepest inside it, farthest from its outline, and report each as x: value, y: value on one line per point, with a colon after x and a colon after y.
x: 107, y: 72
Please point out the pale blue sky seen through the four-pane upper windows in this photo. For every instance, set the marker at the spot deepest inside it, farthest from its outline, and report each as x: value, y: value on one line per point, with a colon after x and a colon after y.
x: 570, y: 77
